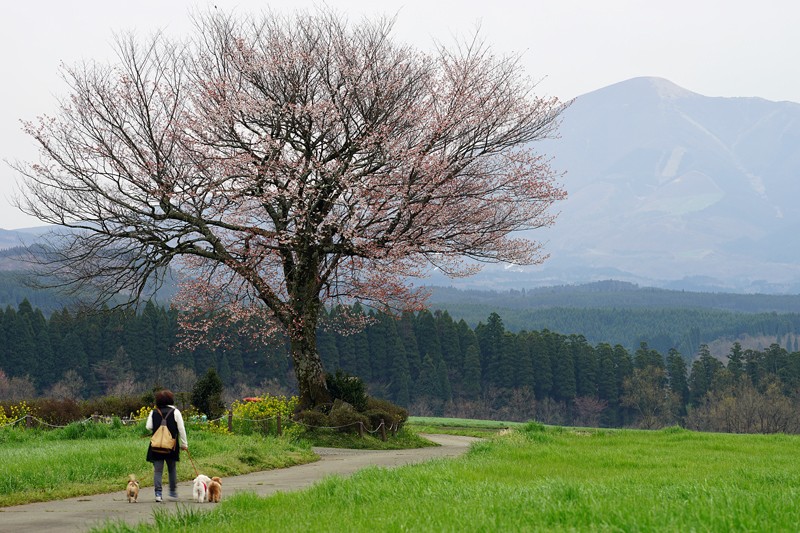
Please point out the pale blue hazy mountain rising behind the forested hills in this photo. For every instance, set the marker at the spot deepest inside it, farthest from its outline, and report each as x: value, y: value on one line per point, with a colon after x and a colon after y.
x: 667, y: 188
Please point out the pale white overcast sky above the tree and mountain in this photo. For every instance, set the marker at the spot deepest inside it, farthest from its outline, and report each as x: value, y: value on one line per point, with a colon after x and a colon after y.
x: 713, y: 47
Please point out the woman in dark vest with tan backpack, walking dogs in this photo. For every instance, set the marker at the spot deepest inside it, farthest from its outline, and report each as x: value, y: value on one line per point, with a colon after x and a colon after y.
x: 166, y: 410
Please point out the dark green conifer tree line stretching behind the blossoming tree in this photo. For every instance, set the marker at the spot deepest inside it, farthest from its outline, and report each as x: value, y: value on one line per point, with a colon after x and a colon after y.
x: 425, y: 361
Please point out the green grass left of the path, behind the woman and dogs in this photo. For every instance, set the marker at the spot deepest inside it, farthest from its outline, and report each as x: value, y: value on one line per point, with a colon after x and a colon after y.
x: 95, y: 458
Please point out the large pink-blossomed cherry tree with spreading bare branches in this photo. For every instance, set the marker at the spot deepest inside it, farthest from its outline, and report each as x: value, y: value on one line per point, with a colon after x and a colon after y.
x: 289, y: 161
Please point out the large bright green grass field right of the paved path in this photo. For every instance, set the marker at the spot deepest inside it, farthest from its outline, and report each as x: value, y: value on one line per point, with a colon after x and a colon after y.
x: 544, y: 479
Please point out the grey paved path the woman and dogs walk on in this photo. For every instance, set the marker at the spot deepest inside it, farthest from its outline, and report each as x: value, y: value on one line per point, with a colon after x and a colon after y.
x: 80, y: 514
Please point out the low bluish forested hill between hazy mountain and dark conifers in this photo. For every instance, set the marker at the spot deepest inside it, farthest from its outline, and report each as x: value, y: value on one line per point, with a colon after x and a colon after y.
x: 624, y: 313
